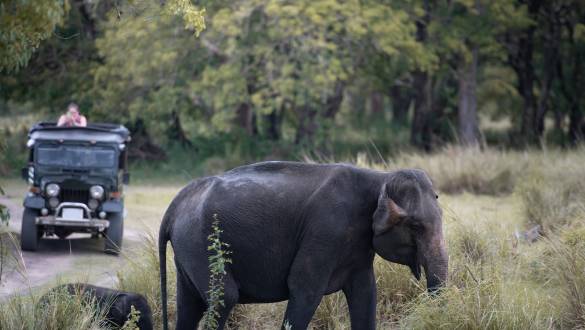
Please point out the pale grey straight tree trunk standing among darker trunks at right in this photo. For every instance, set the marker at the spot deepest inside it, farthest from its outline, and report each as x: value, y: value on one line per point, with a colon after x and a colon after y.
x: 467, y: 102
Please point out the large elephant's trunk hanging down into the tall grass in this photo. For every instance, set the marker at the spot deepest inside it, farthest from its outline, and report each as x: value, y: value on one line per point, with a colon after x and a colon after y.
x: 435, y: 263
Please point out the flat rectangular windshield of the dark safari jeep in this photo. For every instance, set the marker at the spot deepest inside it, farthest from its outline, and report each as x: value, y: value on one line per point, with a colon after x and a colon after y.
x: 76, y: 156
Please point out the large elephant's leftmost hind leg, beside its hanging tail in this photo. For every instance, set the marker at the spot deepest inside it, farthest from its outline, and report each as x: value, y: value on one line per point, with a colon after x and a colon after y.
x: 190, y: 305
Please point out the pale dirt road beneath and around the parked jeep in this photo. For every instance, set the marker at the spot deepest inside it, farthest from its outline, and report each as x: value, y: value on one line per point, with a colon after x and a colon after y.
x: 78, y: 258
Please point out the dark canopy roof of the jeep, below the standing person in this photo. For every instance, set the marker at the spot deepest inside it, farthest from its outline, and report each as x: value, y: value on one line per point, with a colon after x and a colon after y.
x: 98, y: 132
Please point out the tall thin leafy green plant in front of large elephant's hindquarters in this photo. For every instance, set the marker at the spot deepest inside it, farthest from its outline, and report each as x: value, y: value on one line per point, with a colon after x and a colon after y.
x: 218, y: 259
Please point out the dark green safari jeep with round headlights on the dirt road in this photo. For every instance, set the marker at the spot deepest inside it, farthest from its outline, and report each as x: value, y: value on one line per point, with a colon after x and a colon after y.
x: 76, y: 177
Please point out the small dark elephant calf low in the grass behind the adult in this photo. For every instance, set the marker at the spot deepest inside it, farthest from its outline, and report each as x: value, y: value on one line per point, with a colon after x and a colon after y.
x: 117, y: 303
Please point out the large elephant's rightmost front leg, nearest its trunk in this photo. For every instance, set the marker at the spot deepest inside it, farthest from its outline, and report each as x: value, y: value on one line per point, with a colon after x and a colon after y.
x: 360, y: 292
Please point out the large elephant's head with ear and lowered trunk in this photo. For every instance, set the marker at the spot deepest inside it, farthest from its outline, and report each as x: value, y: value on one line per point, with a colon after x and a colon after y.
x: 408, y: 227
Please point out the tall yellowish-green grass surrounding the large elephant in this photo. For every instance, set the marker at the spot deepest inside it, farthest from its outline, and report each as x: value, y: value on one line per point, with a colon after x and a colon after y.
x: 495, y: 280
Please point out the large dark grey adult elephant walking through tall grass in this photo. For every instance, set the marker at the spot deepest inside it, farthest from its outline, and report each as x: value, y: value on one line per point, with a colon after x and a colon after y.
x: 299, y: 231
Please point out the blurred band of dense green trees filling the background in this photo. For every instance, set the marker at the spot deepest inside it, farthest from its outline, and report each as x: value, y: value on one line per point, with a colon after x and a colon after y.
x: 273, y: 78
